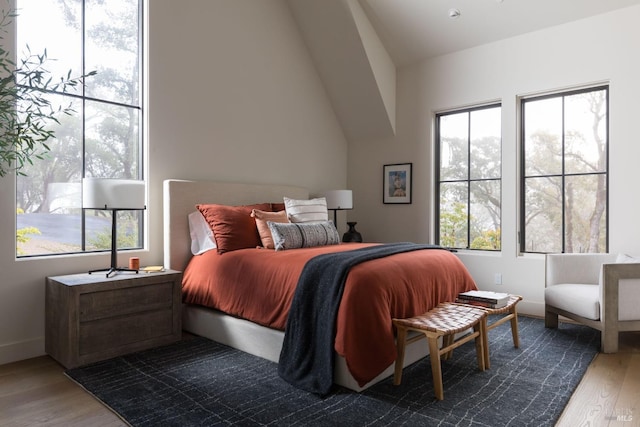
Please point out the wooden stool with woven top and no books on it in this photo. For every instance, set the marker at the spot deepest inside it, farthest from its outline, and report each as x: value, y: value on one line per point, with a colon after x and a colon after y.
x: 444, y: 321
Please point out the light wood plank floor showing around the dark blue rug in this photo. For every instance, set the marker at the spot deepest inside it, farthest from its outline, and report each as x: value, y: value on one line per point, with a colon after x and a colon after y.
x: 35, y: 392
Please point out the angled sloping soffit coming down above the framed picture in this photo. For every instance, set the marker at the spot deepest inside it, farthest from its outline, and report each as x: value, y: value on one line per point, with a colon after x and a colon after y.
x: 361, y: 90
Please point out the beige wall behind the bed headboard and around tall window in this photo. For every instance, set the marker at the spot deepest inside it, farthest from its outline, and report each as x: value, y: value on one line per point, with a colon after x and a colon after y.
x: 233, y: 96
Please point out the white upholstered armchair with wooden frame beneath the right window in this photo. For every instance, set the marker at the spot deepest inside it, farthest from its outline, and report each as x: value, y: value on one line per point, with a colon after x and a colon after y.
x: 601, y: 291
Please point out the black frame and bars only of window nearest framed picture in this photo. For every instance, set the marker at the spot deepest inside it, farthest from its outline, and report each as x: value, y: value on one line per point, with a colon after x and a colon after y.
x: 437, y: 172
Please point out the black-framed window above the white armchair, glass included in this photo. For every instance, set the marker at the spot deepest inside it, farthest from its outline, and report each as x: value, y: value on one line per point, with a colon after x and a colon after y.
x: 564, y: 171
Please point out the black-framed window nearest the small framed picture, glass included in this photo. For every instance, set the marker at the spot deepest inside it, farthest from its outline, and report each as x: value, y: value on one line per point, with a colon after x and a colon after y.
x: 468, y: 176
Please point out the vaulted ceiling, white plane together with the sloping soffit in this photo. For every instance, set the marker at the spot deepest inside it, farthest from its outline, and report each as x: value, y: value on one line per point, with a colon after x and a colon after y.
x: 358, y: 44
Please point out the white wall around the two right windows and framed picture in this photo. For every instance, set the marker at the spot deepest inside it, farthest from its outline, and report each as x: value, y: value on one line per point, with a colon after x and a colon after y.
x: 600, y: 49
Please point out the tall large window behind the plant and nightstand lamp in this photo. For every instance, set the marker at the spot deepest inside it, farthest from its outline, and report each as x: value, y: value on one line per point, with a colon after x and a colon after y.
x: 102, y: 139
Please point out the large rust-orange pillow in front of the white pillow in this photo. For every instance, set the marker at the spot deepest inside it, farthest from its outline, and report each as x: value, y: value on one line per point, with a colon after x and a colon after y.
x: 233, y: 227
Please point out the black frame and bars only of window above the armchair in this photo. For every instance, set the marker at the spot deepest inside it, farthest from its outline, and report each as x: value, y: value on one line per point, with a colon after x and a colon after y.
x: 523, y: 177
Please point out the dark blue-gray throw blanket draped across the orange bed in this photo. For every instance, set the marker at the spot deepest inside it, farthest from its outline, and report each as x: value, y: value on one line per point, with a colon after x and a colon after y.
x: 307, y: 356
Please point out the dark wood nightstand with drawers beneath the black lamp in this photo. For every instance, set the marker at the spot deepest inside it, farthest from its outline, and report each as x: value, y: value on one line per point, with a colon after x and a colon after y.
x: 91, y: 318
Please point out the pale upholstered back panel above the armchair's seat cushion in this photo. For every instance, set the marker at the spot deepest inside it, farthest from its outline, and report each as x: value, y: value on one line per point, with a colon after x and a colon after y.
x: 575, y: 268
